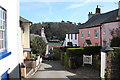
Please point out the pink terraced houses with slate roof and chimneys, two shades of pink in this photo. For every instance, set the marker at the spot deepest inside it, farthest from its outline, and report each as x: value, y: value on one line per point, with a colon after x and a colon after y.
x: 96, y: 31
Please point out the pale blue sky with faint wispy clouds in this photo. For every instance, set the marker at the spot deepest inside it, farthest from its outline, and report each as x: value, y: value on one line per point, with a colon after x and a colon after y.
x: 75, y: 11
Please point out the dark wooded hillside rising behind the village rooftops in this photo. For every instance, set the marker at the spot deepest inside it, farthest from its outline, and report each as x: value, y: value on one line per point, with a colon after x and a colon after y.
x: 54, y: 29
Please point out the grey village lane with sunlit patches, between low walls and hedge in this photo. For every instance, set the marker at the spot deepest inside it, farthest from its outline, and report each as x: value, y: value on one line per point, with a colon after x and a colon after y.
x: 53, y: 70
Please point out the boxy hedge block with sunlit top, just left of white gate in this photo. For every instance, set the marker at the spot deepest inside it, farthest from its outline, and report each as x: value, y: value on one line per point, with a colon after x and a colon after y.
x: 72, y: 57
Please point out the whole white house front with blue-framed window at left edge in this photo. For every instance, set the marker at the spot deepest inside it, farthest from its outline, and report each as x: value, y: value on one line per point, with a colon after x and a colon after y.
x: 9, y: 39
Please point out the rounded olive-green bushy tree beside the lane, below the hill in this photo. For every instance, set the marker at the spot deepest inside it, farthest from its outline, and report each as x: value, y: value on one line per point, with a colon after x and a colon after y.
x: 38, y: 46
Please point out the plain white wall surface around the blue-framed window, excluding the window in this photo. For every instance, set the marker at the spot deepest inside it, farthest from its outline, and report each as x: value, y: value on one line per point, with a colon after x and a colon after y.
x: 13, y: 36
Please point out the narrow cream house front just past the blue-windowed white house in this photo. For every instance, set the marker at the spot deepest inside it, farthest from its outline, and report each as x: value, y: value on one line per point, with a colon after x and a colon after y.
x: 25, y: 40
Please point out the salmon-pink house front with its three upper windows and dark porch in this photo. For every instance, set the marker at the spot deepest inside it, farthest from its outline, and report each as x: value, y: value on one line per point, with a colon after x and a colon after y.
x: 89, y: 37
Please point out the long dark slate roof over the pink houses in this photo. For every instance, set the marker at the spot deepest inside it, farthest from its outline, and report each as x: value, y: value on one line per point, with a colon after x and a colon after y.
x: 98, y: 19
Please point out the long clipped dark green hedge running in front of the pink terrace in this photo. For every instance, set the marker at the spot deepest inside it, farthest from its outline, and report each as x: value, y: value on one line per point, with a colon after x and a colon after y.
x: 77, y: 54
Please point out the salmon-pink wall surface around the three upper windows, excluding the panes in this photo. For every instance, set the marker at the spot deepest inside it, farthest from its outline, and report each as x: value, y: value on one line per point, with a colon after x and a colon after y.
x: 92, y: 38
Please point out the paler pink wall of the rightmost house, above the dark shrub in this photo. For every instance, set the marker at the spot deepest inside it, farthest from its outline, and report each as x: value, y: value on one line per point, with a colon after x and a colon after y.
x: 107, y: 36
